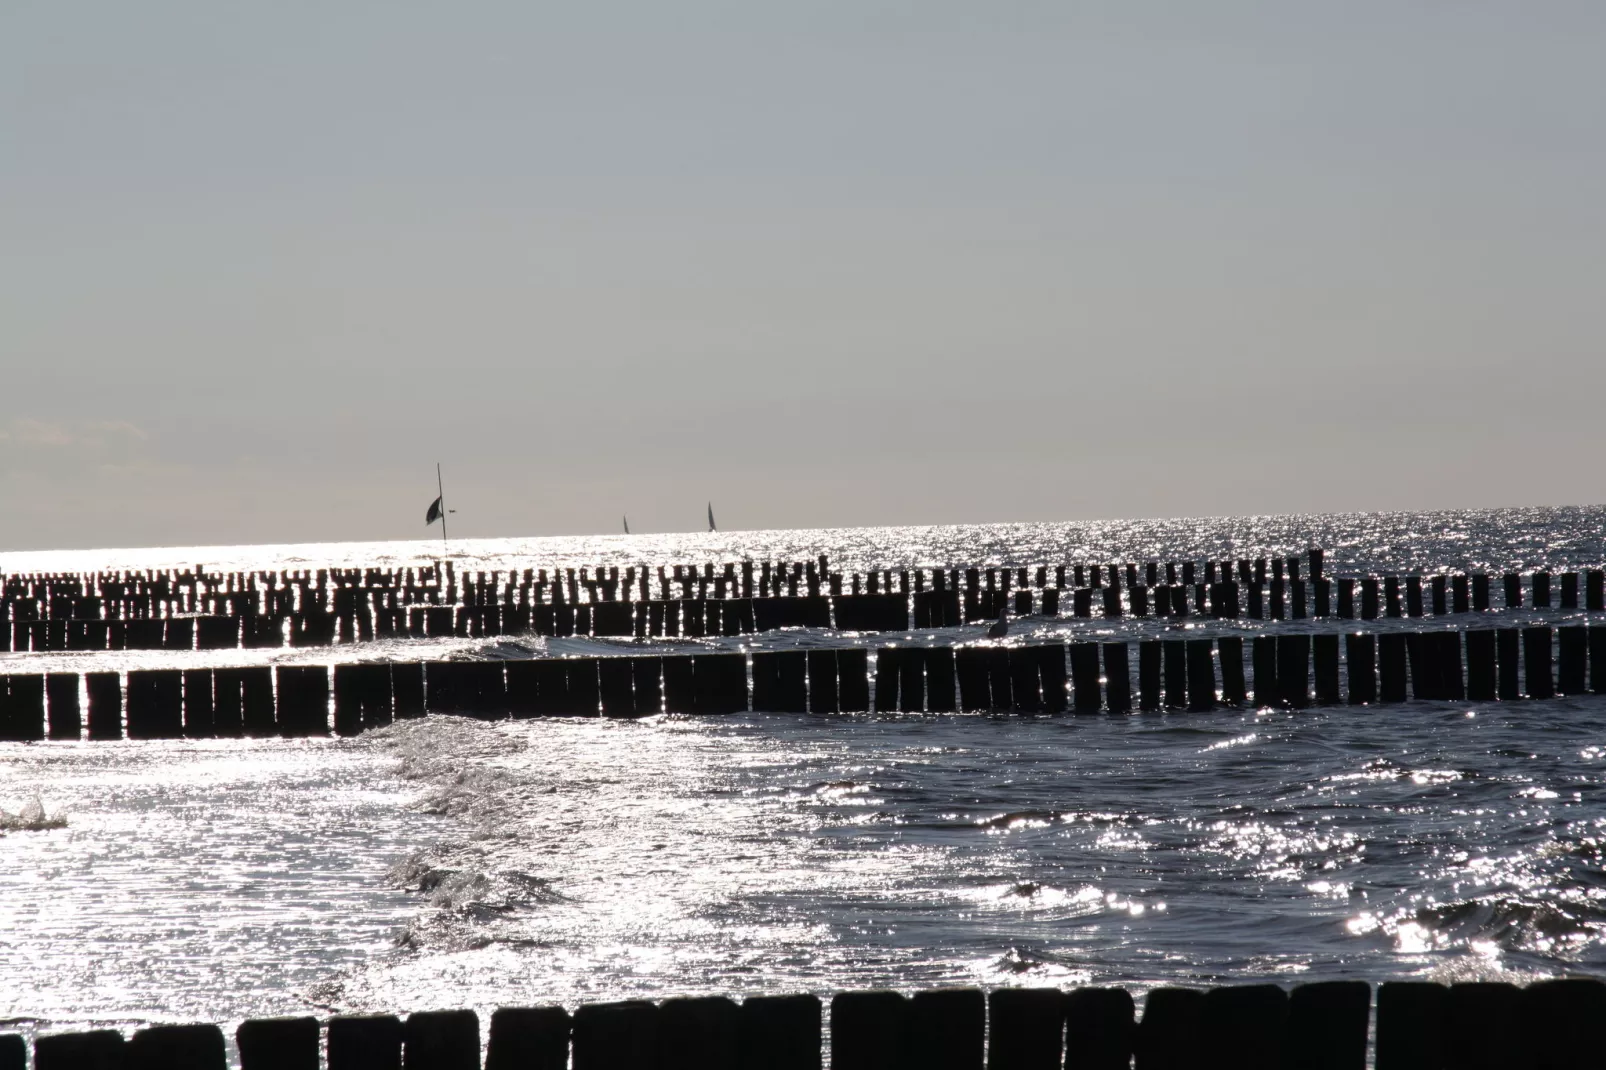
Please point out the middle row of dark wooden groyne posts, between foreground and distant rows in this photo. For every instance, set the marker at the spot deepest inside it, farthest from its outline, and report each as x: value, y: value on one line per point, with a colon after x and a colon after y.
x: 1286, y: 669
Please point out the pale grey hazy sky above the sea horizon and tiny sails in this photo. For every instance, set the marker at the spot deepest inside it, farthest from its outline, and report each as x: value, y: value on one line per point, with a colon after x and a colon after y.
x: 826, y: 264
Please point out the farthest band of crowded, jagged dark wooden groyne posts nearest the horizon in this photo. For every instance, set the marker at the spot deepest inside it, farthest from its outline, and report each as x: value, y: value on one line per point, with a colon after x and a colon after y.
x: 194, y: 610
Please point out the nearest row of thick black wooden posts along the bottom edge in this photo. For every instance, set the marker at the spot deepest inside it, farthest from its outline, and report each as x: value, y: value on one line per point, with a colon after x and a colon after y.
x: 1549, y: 1026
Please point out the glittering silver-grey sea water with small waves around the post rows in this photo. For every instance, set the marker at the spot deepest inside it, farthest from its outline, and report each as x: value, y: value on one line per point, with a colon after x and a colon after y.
x: 447, y: 864
